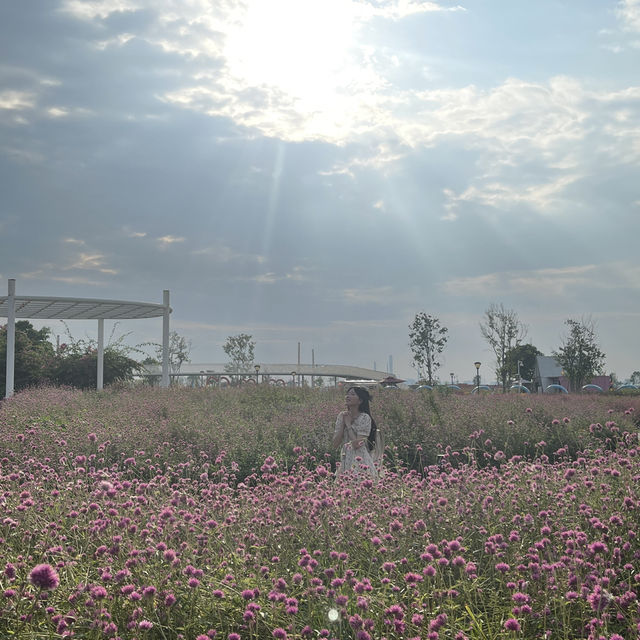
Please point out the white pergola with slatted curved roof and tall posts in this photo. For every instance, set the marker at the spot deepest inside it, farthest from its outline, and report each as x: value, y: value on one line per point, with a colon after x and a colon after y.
x: 49, y: 308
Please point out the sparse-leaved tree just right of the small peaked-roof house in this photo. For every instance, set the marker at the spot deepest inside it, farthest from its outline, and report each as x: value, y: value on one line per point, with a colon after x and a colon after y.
x: 579, y: 356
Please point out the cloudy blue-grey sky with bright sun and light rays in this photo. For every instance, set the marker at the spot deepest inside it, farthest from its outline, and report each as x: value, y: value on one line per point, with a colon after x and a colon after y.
x: 320, y: 171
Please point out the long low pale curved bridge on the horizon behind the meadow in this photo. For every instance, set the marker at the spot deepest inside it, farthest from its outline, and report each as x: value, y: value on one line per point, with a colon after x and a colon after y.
x: 263, y: 371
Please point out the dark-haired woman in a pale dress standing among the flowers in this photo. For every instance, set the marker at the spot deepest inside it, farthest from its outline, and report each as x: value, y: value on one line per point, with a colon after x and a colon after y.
x: 356, y: 433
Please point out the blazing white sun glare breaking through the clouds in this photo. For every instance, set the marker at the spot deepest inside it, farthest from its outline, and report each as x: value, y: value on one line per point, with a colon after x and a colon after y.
x: 304, y: 49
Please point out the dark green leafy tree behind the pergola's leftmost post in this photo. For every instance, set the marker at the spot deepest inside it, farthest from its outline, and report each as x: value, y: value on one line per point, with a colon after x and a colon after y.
x: 33, y: 355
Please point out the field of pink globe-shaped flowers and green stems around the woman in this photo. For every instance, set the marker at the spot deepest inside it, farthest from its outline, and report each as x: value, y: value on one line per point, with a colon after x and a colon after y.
x: 200, y: 513
